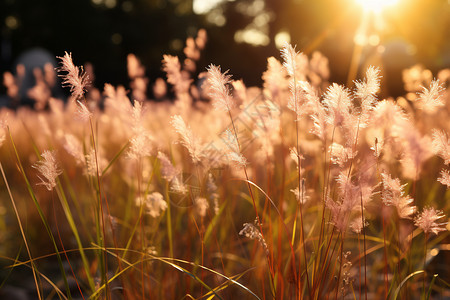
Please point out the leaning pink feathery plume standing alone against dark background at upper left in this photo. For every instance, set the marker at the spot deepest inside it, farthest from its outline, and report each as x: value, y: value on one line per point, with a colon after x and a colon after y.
x: 74, y: 76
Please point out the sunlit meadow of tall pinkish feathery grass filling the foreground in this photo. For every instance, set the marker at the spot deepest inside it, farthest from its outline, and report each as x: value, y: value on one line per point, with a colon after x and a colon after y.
x: 298, y: 189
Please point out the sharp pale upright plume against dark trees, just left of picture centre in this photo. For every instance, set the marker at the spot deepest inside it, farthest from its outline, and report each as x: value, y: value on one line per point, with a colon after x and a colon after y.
x: 218, y: 88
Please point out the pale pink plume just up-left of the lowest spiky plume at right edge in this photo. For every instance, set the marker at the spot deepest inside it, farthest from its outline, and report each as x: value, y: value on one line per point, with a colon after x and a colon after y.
x: 394, y: 194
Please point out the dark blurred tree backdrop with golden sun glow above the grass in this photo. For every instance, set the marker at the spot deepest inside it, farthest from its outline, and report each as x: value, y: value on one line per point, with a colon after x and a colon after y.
x: 241, y: 34
